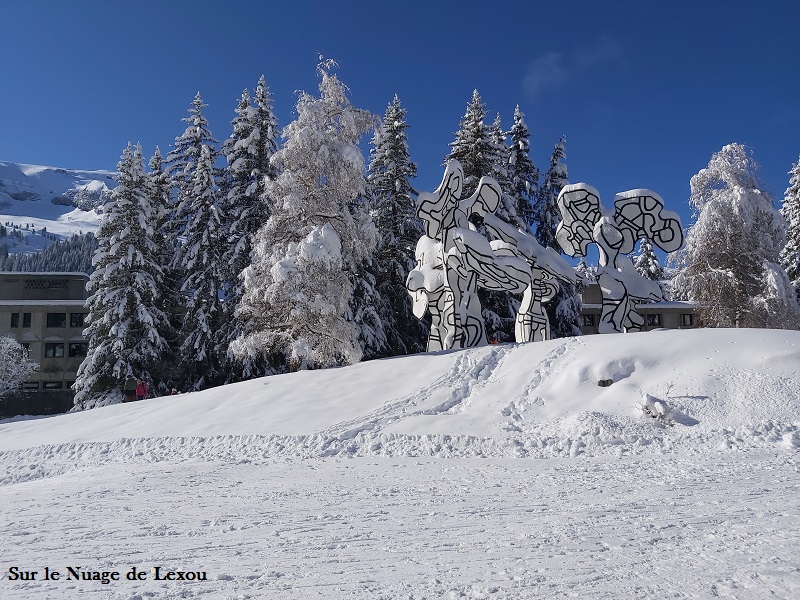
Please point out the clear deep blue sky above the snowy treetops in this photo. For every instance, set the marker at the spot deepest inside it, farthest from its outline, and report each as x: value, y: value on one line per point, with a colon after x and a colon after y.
x: 644, y: 91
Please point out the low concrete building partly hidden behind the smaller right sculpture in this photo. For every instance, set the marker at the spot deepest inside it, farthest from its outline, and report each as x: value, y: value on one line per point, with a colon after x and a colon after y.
x: 657, y: 315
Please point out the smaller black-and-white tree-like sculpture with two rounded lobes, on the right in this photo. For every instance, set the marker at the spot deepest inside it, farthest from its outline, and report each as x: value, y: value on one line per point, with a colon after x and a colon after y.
x: 637, y: 213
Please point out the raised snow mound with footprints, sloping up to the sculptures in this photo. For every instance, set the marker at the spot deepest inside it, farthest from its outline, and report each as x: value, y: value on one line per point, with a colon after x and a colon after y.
x: 705, y: 391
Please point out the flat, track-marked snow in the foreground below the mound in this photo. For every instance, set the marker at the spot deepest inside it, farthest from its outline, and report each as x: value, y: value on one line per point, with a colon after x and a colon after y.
x: 638, y: 527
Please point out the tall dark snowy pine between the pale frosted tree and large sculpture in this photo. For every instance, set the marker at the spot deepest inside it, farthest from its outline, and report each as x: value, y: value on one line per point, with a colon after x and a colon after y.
x: 393, y: 209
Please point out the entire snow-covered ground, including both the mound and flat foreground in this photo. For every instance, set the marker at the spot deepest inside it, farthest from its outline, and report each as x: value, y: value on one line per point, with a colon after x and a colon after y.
x: 497, y: 472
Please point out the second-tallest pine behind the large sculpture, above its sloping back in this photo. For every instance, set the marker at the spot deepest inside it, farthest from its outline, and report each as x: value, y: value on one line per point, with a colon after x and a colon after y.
x: 523, y: 174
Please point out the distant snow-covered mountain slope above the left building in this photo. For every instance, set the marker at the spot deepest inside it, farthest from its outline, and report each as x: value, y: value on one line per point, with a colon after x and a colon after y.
x: 62, y: 201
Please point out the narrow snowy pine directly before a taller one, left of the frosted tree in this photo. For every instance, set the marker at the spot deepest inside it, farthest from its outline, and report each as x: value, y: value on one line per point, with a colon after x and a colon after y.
x: 200, y: 256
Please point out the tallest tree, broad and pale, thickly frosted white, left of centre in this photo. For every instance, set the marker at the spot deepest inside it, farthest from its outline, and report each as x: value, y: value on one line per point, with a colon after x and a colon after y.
x: 297, y: 289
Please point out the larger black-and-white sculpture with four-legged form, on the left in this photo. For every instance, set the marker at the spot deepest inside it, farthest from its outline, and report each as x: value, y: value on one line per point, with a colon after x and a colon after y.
x: 453, y: 260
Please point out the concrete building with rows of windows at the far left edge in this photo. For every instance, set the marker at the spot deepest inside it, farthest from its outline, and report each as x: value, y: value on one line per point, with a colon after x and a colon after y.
x: 45, y: 313
